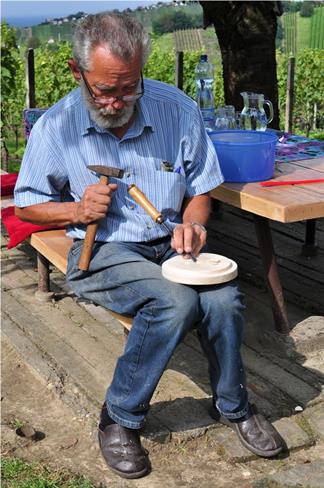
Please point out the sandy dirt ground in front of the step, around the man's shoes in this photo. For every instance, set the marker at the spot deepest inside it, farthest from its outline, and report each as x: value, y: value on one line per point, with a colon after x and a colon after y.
x: 69, y: 445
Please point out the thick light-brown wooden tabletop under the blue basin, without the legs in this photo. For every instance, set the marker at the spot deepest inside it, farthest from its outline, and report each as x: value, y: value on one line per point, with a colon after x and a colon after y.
x: 286, y: 203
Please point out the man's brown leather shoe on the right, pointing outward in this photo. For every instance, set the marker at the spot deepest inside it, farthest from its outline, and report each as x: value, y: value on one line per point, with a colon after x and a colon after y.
x: 254, y: 431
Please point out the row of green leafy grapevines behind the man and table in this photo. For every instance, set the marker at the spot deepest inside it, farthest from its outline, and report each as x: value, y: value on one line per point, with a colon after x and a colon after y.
x: 54, y: 80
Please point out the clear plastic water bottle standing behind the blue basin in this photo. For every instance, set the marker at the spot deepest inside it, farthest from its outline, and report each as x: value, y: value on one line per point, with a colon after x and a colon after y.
x: 204, y: 74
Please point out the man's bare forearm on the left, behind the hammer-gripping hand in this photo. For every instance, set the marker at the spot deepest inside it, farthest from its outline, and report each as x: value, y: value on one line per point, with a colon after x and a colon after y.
x: 50, y: 213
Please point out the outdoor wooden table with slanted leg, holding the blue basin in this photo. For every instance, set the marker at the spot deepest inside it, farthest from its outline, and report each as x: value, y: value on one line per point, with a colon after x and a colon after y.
x: 291, y: 203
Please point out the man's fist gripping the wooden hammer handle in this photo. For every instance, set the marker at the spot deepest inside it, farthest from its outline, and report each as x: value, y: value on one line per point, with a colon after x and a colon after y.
x: 95, y: 203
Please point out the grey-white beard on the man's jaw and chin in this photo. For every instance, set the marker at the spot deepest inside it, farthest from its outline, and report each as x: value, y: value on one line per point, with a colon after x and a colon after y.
x: 106, y: 117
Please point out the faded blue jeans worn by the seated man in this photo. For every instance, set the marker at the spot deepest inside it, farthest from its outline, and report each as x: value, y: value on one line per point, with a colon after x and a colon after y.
x: 126, y: 277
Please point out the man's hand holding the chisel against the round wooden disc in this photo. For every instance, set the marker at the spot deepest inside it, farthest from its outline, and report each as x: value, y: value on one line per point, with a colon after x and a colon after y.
x: 188, y: 238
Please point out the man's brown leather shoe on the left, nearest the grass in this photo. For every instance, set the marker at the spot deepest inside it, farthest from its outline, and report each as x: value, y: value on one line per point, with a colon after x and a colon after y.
x: 122, y: 450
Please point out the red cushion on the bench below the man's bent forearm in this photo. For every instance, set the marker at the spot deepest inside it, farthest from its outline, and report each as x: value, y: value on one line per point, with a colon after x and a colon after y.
x: 18, y: 230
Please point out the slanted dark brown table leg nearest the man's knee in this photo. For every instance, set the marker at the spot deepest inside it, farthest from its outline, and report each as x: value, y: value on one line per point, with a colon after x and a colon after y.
x: 264, y: 237
